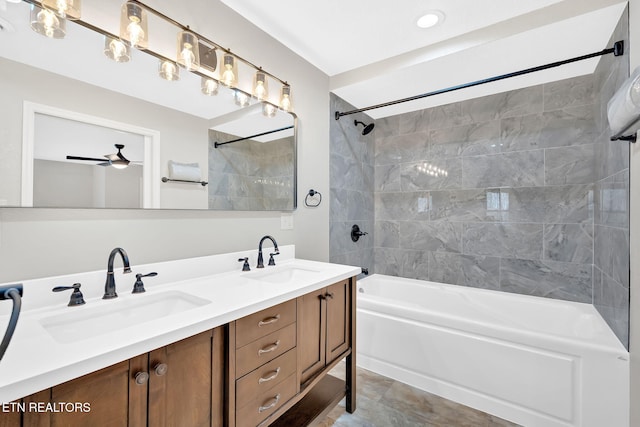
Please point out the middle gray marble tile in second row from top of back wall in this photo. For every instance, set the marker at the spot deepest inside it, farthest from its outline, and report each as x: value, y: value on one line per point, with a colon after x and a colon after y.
x: 468, y: 140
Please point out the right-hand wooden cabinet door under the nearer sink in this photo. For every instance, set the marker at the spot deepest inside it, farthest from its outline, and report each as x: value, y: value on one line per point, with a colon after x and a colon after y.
x: 180, y: 383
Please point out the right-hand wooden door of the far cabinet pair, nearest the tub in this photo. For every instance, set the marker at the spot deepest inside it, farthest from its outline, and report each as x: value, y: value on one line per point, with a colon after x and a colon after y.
x: 338, y: 316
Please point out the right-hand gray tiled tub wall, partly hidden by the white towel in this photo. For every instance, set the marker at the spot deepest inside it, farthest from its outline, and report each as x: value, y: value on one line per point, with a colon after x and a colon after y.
x: 611, y: 191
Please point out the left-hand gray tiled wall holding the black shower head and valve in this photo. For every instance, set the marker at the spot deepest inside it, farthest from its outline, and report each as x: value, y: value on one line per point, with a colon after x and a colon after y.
x: 351, y: 182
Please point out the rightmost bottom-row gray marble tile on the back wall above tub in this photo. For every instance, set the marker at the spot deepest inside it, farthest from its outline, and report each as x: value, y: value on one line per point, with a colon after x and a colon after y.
x: 550, y: 279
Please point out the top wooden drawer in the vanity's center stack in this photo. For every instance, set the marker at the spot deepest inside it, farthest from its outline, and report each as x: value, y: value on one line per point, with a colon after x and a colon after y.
x: 259, y: 324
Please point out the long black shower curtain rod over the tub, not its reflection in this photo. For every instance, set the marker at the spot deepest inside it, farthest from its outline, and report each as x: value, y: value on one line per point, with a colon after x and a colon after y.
x: 617, y: 50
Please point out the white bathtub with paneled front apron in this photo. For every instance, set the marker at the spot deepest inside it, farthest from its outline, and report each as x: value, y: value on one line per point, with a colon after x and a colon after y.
x: 530, y: 360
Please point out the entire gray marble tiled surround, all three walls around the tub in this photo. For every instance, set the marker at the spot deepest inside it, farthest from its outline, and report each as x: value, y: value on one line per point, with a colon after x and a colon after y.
x: 520, y: 191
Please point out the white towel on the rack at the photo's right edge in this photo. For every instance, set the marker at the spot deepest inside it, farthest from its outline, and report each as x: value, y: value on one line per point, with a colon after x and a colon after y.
x: 624, y: 106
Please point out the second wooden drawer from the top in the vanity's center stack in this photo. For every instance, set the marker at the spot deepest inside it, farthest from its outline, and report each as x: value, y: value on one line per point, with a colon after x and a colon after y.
x: 264, y: 350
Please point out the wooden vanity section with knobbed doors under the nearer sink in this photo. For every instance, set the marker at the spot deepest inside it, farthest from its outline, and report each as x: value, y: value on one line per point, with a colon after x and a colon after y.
x: 181, y: 384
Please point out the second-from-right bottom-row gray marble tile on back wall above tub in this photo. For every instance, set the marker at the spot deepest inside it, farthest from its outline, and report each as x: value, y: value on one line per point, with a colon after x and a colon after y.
x: 467, y: 270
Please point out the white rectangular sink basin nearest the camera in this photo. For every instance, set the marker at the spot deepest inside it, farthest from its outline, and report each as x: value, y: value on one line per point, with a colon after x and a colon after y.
x: 116, y: 314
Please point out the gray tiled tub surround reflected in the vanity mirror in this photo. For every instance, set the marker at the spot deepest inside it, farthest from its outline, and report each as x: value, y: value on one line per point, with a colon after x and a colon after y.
x: 250, y: 175
